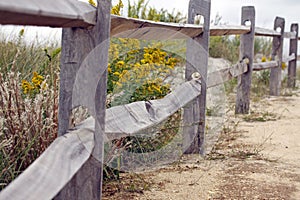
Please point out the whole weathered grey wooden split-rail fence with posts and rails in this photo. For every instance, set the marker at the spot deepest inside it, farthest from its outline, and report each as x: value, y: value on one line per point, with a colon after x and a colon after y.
x: 71, y: 168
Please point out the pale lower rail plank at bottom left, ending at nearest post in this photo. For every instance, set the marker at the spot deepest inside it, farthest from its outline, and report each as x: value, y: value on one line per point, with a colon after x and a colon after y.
x: 53, y: 169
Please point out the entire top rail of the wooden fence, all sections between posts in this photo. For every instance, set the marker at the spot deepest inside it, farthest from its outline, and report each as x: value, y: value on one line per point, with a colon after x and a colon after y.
x: 68, y: 13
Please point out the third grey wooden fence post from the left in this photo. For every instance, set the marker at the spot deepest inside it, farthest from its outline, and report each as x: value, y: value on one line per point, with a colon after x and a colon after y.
x: 246, y: 51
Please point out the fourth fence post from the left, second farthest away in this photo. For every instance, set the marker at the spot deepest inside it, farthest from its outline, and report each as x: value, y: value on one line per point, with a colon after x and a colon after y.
x: 277, y: 50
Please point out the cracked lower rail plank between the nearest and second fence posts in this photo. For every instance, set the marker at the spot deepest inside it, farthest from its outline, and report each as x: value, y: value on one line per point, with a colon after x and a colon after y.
x: 127, y: 120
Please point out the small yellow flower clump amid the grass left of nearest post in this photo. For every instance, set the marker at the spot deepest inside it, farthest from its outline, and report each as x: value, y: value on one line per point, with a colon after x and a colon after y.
x: 35, y: 85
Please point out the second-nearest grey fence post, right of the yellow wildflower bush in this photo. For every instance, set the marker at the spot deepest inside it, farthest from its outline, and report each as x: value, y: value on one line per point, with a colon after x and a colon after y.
x: 197, y: 52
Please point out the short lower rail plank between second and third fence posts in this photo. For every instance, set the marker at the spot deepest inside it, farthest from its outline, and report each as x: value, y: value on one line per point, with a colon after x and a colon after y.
x: 224, y: 75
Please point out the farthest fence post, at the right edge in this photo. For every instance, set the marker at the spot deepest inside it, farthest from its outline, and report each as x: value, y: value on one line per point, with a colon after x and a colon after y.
x: 293, y: 64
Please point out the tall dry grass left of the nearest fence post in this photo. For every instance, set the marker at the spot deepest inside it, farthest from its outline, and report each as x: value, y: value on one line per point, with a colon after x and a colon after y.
x: 28, y: 123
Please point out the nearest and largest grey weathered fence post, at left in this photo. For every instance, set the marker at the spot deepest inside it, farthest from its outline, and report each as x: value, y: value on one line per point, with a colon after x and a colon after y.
x: 77, y: 43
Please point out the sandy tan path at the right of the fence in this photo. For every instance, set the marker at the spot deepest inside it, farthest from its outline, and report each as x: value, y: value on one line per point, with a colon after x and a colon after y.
x: 256, y: 157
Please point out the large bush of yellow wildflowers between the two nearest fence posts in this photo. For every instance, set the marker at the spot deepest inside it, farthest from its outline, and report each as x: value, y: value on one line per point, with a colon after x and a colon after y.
x: 138, y: 72
